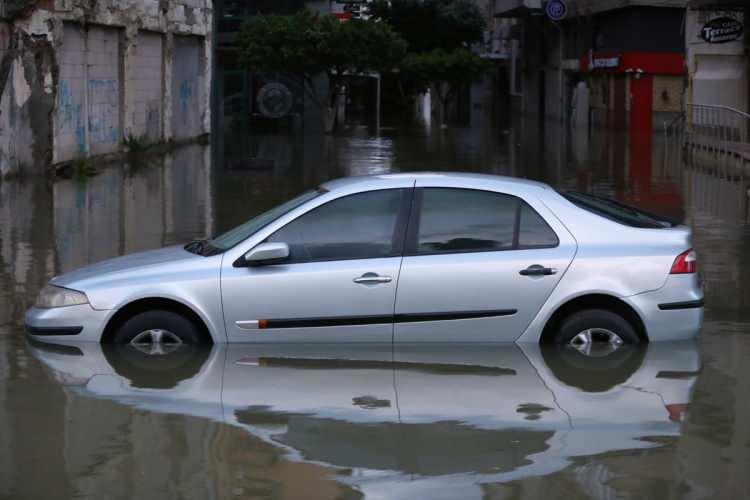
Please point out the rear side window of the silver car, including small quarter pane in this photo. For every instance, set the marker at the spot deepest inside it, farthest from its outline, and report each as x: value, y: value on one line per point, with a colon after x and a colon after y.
x: 451, y: 220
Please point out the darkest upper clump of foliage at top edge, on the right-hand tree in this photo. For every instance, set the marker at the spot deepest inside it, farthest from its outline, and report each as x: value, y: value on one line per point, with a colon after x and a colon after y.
x: 432, y: 24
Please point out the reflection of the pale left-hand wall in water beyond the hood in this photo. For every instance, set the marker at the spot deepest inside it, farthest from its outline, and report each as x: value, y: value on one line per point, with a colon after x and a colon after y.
x: 164, y: 201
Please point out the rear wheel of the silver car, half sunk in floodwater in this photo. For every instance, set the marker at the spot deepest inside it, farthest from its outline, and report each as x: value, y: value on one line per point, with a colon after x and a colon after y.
x: 595, y: 332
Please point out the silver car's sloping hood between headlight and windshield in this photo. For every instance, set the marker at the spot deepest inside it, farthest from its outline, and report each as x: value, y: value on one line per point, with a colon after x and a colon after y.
x: 126, y: 263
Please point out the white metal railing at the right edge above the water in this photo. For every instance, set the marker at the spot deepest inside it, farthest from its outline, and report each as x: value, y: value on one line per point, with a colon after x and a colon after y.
x: 719, y: 127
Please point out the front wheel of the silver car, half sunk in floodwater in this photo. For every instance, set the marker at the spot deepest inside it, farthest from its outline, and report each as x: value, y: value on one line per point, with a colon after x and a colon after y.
x: 152, y: 330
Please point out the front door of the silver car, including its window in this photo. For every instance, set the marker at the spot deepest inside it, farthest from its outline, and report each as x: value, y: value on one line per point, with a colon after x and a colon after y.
x: 339, y: 282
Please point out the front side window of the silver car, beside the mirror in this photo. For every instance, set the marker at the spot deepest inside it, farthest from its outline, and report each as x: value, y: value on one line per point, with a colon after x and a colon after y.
x: 359, y: 226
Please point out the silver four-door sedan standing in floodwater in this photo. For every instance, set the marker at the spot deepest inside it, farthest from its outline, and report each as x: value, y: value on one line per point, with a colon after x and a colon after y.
x: 425, y: 257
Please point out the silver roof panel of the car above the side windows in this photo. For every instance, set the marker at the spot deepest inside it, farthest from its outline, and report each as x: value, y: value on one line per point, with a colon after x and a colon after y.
x: 460, y: 179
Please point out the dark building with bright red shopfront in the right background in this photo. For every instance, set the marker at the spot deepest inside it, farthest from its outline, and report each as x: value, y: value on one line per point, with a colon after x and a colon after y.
x: 629, y: 54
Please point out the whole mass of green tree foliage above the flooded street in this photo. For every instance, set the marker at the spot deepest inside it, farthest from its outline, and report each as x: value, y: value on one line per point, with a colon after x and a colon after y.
x: 437, y: 34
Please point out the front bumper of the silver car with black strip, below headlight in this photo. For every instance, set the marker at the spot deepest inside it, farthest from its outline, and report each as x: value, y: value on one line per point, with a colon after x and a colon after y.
x: 79, y: 323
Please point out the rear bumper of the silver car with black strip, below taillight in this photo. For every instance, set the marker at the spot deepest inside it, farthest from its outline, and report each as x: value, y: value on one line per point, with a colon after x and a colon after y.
x: 674, y: 312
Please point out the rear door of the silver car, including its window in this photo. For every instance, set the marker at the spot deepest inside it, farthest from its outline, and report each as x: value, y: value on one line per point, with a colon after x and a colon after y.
x: 478, y: 266
